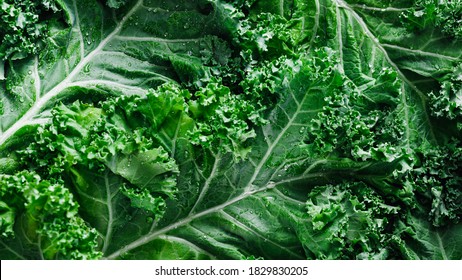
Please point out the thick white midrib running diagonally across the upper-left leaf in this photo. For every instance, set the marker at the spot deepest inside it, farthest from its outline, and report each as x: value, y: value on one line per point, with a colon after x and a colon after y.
x: 45, y: 98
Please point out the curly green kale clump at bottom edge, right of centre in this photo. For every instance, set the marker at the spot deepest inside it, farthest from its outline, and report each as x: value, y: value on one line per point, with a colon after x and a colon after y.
x: 351, y: 221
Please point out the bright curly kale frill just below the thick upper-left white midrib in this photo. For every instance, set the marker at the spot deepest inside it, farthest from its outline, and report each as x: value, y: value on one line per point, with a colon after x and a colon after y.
x: 83, y: 140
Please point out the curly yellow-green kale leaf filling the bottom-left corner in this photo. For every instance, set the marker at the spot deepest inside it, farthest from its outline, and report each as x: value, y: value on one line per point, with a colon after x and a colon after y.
x: 40, y: 219
